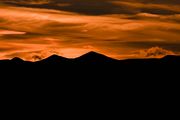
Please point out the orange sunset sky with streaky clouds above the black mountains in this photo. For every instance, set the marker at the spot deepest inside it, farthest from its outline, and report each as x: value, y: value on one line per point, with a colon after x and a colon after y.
x: 122, y: 29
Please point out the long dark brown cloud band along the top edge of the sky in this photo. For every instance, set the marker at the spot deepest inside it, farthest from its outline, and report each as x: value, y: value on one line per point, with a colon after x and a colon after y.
x: 99, y: 7
